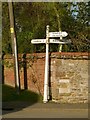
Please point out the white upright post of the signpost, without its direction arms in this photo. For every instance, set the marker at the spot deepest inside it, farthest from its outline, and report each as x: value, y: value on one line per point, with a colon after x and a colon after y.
x: 46, y: 87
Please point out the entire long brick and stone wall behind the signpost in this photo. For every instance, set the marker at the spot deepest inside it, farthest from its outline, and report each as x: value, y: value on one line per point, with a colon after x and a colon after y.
x: 68, y: 73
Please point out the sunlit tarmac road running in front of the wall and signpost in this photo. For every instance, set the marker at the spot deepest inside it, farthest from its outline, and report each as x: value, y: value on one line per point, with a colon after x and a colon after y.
x: 40, y: 110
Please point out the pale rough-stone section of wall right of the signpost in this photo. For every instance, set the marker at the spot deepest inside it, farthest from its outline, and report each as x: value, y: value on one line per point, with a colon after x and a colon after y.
x: 69, y: 80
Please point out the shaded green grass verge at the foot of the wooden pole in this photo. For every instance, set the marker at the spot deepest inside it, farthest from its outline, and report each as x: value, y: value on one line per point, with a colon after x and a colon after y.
x: 10, y: 94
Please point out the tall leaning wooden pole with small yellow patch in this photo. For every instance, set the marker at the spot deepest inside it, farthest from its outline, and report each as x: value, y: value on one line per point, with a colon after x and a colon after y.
x: 14, y: 47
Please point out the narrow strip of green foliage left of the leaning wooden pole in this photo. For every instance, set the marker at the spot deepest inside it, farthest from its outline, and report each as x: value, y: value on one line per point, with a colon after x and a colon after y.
x: 6, y: 43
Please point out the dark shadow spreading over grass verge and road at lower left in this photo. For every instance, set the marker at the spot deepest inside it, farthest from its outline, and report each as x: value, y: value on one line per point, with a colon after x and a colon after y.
x: 12, y: 102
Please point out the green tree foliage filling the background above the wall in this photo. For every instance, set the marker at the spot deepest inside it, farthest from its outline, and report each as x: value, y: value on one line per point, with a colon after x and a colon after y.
x: 31, y: 20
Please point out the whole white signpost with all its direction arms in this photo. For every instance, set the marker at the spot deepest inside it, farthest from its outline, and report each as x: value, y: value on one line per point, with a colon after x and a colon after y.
x: 47, y: 41
